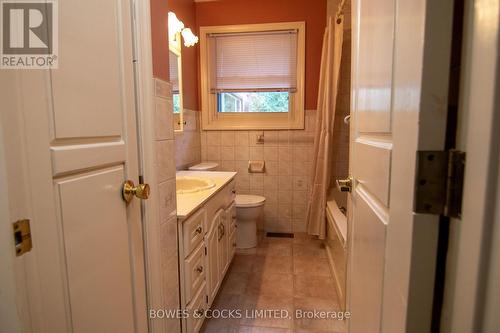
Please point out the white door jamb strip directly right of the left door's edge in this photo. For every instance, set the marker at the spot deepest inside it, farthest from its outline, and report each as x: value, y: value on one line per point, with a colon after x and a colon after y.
x: 146, y: 123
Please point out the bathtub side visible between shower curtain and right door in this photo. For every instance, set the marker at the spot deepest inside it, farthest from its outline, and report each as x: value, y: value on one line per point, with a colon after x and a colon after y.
x: 336, y: 241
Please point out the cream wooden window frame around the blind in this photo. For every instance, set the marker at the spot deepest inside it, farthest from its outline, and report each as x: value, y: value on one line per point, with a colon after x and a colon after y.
x: 214, y: 120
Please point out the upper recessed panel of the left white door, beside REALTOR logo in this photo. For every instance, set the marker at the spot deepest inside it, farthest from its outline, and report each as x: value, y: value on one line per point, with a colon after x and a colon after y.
x: 88, y: 90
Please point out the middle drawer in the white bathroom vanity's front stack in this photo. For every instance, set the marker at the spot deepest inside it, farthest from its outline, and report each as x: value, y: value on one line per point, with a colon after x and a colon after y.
x: 194, y: 271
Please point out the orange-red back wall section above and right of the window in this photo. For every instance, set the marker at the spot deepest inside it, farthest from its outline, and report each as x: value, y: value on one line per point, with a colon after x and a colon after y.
x: 313, y: 12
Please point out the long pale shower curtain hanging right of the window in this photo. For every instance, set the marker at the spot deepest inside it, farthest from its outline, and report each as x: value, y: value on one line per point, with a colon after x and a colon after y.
x: 325, y: 116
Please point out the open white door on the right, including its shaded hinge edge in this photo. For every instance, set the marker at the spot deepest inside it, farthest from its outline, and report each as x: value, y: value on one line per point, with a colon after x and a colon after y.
x: 400, y: 67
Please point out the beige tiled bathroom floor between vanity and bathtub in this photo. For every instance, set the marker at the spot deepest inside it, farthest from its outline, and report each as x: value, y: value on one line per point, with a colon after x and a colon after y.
x: 282, y: 273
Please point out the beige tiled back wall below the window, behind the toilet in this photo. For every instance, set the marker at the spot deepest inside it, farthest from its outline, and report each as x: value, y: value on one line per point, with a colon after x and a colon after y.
x: 285, y: 184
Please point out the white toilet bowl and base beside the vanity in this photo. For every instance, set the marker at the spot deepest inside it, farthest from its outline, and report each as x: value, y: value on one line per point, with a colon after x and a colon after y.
x: 249, y: 209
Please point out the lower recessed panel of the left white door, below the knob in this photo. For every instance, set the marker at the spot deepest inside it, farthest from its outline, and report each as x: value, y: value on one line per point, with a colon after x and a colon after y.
x: 96, y: 244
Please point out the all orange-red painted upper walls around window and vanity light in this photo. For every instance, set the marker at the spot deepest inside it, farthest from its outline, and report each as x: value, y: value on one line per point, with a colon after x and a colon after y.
x: 224, y: 12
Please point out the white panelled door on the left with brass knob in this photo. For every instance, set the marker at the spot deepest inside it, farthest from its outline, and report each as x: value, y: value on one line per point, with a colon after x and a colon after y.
x: 85, y: 272
